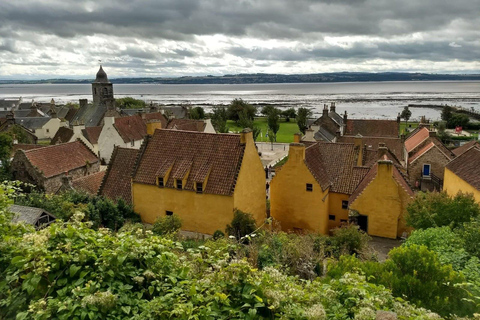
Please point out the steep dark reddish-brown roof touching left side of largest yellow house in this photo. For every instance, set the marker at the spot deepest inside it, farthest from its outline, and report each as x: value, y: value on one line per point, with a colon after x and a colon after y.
x: 118, y: 177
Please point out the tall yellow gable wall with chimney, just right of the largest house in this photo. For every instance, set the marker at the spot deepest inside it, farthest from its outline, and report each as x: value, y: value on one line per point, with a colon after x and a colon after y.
x: 295, y: 208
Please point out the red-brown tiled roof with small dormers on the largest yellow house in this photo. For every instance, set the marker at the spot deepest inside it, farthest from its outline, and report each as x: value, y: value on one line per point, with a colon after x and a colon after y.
x: 223, y: 152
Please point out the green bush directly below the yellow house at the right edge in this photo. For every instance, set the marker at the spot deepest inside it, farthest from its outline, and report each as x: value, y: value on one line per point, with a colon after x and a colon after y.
x: 437, y: 209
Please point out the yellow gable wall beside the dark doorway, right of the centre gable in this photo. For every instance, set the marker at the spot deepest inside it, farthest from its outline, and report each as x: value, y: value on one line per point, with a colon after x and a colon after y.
x: 384, y: 201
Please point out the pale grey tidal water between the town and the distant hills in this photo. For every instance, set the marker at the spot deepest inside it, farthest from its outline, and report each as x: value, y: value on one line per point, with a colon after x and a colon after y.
x: 359, y: 99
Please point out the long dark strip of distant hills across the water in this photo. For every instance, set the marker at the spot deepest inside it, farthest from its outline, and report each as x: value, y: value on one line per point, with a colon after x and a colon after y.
x: 274, y: 78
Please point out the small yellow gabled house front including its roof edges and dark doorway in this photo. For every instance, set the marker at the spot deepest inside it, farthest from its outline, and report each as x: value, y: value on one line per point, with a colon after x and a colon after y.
x: 380, y: 200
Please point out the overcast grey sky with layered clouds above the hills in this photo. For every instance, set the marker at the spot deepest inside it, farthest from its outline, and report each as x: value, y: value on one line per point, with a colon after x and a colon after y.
x: 134, y: 38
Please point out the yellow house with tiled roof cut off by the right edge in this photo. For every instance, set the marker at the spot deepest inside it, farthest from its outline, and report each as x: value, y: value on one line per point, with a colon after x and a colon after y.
x: 463, y: 174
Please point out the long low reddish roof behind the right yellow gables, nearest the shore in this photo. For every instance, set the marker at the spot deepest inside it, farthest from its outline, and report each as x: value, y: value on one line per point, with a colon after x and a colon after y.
x: 375, y: 128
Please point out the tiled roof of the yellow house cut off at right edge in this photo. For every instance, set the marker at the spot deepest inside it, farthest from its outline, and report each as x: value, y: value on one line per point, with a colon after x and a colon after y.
x: 466, y: 166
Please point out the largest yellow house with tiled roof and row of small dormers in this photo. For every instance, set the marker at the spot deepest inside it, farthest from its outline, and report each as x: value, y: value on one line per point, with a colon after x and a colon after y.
x: 201, y: 177
